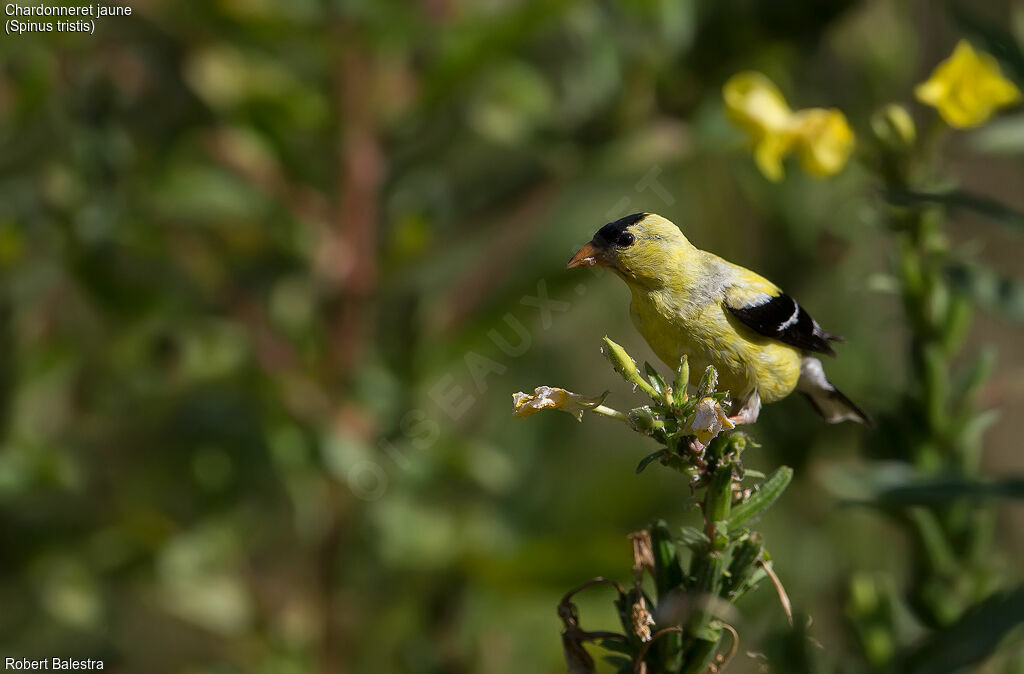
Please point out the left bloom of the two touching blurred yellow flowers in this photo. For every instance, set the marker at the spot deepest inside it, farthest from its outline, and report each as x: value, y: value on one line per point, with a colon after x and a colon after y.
x: 756, y: 105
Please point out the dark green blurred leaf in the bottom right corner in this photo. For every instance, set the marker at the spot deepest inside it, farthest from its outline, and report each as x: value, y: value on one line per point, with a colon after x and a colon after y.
x: 970, y: 640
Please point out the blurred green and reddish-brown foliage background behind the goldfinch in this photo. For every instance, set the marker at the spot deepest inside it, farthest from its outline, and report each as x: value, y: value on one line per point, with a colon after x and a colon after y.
x: 271, y: 273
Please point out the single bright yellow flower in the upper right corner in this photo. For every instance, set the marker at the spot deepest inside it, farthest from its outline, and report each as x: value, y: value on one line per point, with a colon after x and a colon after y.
x: 968, y: 88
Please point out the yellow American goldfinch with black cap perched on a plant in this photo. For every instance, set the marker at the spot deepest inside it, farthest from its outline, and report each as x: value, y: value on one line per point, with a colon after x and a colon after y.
x: 689, y: 302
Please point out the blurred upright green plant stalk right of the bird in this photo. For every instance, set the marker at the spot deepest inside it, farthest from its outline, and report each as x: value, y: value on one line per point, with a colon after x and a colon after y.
x: 953, y: 541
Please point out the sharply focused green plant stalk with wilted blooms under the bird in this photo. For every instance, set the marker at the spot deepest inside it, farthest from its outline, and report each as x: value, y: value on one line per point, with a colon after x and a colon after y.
x: 686, y: 586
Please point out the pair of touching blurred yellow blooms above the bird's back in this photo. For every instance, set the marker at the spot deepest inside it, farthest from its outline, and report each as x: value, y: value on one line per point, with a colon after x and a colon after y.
x: 823, y: 138
